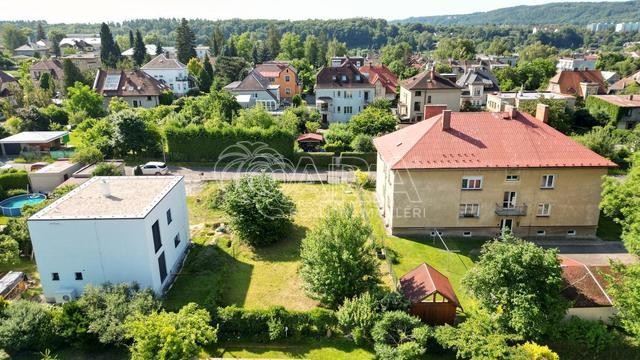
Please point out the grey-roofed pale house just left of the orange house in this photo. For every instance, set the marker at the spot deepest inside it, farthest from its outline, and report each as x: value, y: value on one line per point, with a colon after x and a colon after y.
x: 254, y: 90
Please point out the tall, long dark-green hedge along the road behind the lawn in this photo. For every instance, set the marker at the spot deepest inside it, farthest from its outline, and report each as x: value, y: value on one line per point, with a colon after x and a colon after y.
x: 197, y: 143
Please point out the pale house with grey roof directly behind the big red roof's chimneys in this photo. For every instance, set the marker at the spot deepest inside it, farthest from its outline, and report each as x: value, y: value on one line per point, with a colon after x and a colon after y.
x: 476, y: 84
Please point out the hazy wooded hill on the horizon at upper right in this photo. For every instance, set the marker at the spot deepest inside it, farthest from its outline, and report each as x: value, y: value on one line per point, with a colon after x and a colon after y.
x: 576, y: 13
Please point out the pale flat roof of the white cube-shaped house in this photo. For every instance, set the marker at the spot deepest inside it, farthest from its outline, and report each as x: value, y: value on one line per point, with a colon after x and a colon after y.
x: 129, y: 197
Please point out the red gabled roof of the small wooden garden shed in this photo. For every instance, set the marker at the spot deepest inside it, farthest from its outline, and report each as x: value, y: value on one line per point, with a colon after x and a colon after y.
x: 423, y: 281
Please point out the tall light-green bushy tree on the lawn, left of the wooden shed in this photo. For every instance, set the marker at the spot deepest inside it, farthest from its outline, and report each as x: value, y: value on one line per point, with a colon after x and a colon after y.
x: 337, y: 261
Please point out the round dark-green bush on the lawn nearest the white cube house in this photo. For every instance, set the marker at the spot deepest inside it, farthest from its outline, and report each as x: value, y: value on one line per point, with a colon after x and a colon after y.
x: 260, y: 213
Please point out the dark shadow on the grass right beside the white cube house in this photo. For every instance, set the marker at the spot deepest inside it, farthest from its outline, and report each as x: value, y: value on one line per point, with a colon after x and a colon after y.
x: 206, y: 276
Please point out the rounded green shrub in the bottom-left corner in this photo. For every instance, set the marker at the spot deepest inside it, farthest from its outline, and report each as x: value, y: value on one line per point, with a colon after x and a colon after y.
x: 25, y: 325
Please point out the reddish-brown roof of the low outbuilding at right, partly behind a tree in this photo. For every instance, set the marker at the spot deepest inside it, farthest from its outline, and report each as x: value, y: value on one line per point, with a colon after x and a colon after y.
x: 584, y: 285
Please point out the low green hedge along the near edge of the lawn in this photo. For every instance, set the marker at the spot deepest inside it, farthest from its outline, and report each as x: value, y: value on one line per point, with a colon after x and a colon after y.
x: 264, y: 325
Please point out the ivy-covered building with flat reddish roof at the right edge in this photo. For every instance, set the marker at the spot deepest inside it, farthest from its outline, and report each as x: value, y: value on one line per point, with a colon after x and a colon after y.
x: 624, y: 108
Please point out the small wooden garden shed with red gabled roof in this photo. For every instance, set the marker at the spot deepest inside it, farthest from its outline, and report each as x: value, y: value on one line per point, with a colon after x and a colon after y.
x: 431, y: 295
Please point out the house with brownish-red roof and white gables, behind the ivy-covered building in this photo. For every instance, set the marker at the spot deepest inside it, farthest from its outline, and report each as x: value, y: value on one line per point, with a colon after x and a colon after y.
x: 578, y: 83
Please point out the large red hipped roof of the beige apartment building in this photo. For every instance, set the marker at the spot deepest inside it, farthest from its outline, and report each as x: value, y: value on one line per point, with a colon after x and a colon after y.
x: 484, y: 140
